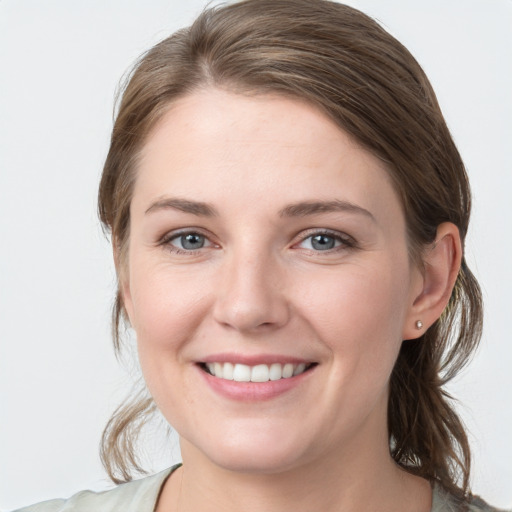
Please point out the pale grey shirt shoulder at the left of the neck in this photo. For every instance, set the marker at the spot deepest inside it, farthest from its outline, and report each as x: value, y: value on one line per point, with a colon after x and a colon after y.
x: 135, y: 496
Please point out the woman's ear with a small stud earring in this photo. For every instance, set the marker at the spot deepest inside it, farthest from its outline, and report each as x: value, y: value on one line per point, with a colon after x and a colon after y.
x: 441, y: 266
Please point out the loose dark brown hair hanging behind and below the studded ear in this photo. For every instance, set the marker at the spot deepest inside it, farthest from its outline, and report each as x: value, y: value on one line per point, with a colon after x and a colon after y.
x: 428, y: 437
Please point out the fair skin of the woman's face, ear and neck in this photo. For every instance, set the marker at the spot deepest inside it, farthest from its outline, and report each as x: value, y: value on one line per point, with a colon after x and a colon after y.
x: 261, y: 234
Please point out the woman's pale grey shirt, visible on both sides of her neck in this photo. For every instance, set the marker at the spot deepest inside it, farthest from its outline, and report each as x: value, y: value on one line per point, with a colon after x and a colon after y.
x: 142, y: 495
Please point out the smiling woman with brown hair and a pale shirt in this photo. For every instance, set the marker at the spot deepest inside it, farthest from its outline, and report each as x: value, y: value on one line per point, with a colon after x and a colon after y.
x: 288, y: 214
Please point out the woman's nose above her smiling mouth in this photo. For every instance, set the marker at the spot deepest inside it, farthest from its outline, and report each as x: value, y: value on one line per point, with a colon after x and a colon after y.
x: 252, y: 296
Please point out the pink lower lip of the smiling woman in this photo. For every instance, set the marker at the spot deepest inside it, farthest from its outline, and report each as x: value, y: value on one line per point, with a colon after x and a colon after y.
x: 253, y: 391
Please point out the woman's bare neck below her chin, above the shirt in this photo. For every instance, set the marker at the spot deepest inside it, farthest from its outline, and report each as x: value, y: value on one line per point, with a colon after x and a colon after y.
x: 365, y: 480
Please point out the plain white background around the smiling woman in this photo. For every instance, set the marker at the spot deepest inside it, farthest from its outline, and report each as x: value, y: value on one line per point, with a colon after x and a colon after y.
x: 60, y: 62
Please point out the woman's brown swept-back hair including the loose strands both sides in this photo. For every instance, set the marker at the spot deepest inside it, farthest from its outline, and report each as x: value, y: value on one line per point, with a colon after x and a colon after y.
x: 345, y: 64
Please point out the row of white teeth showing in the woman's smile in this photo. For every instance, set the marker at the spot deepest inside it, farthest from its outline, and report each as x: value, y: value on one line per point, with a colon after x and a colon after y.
x: 257, y: 373
